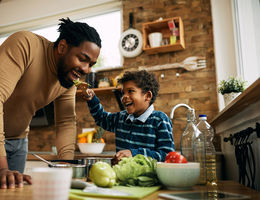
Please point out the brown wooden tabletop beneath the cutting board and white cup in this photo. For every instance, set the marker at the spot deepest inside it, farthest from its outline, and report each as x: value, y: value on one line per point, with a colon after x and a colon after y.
x: 25, y: 193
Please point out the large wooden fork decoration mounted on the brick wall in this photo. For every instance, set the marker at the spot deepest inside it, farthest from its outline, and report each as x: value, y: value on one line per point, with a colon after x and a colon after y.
x: 190, y: 64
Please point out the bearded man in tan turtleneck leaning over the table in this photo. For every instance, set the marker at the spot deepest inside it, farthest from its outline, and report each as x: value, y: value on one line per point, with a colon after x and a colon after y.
x: 33, y: 73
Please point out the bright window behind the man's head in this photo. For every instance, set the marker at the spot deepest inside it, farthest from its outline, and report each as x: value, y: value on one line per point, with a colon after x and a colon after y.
x: 109, y: 28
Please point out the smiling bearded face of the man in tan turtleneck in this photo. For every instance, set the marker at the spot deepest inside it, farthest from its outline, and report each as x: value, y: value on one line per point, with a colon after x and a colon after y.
x: 76, y: 61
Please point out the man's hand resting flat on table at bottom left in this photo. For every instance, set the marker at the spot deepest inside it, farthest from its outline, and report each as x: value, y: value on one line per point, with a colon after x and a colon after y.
x: 9, y: 179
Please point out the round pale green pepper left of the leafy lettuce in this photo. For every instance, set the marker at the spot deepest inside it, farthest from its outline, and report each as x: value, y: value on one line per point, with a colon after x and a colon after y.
x: 102, y: 174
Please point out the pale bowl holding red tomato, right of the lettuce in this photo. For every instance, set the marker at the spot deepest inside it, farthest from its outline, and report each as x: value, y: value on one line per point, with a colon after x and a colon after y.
x: 178, y: 176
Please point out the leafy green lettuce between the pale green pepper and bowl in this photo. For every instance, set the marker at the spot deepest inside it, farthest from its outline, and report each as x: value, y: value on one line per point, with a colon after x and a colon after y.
x: 137, y: 171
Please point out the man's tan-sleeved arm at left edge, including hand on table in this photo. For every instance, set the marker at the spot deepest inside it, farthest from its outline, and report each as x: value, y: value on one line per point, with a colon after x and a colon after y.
x: 13, y: 61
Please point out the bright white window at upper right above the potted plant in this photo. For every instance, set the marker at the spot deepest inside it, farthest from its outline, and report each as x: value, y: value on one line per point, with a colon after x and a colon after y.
x: 246, y: 16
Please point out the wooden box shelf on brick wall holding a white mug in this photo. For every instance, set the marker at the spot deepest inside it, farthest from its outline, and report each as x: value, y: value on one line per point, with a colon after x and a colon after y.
x: 162, y: 26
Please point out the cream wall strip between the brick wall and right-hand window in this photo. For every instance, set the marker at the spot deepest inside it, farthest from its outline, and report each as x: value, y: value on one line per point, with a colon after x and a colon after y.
x: 224, y: 44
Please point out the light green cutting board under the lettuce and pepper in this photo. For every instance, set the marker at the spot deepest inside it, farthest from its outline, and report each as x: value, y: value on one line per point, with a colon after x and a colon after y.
x: 134, y: 193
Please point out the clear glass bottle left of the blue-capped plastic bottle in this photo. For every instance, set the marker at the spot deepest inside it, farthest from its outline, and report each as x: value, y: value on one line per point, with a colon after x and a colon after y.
x: 193, y: 145
